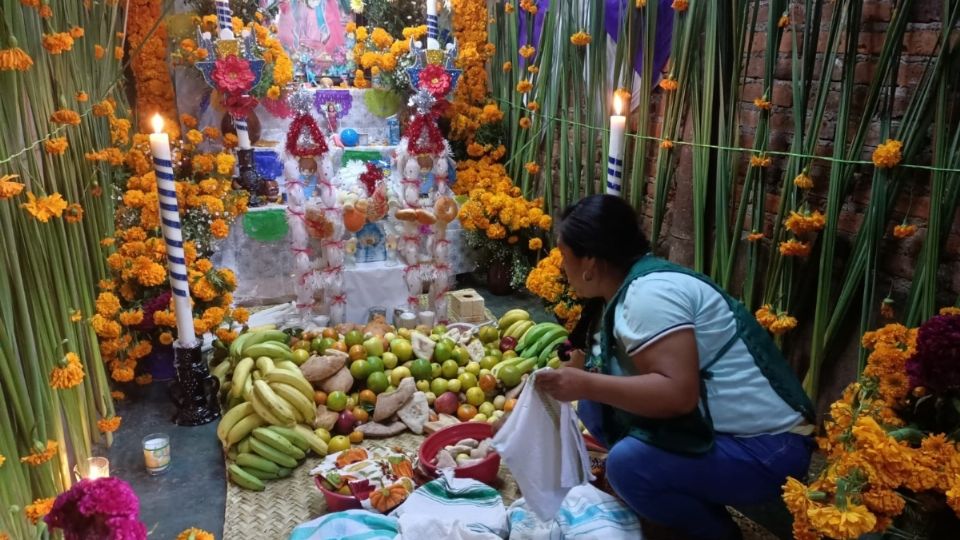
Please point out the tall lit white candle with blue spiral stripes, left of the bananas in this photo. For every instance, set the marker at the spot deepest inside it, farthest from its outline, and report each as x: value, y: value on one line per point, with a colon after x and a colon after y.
x: 173, y: 236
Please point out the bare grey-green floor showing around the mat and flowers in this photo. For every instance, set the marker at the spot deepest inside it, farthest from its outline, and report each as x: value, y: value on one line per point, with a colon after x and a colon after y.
x: 192, y: 492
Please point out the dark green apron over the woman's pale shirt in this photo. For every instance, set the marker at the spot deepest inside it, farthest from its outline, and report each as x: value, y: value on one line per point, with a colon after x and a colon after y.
x: 692, y: 433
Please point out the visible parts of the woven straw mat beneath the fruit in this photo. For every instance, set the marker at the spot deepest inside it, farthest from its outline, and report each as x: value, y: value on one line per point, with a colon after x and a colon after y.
x: 273, y: 513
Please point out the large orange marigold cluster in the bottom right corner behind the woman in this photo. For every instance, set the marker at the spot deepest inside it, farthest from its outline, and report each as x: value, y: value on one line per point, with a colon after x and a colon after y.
x: 871, y: 468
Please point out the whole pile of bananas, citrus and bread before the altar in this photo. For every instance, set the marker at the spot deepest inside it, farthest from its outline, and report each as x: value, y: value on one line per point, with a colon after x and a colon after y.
x: 326, y: 389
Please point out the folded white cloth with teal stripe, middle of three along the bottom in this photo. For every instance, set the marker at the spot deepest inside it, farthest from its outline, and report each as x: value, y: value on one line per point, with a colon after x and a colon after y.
x: 453, y: 508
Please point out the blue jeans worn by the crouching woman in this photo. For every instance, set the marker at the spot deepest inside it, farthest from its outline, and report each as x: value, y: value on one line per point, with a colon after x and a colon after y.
x: 689, y: 493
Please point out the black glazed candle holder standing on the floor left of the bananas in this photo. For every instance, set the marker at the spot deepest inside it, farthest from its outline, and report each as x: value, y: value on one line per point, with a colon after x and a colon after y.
x: 195, y: 391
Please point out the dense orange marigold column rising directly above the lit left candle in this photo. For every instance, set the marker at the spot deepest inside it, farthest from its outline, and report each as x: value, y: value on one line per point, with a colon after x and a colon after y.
x: 154, y: 88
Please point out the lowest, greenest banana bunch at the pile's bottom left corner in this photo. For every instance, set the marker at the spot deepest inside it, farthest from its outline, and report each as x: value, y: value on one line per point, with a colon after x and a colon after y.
x: 270, y: 453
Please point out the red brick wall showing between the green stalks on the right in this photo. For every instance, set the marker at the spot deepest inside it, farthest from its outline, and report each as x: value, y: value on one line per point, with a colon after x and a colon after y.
x: 898, y: 256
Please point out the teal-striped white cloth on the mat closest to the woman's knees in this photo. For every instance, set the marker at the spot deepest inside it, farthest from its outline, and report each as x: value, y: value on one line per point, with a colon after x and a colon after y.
x: 586, y: 512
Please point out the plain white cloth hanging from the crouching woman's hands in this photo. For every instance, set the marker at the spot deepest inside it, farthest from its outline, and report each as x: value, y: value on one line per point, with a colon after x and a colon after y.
x: 542, y: 445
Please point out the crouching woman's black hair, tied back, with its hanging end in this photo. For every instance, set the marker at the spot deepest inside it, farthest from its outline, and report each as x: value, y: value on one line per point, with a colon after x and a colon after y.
x: 605, y: 227
